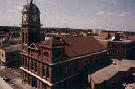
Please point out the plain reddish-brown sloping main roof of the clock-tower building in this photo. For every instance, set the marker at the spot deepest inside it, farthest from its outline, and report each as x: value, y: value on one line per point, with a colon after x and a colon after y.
x: 82, y: 45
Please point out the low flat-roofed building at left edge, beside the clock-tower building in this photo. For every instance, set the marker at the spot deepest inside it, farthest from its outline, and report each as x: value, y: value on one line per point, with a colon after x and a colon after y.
x: 9, y: 55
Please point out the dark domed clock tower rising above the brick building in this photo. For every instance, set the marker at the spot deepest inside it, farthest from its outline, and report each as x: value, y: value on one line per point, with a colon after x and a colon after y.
x: 30, y: 24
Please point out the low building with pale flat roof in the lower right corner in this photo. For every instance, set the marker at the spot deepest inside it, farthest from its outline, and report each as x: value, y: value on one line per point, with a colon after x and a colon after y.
x: 113, y: 76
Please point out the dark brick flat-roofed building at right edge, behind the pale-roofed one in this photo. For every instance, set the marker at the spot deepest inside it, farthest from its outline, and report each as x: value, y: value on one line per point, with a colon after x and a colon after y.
x: 120, y: 49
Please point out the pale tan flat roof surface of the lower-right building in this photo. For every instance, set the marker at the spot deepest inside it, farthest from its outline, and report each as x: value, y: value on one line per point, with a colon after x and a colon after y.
x: 111, y: 70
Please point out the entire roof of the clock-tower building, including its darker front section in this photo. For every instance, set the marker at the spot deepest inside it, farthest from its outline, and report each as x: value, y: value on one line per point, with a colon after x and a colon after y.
x: 76, y: 46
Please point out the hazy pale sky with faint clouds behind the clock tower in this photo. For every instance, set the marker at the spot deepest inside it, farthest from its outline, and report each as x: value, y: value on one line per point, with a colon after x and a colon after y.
x: 86, y: 14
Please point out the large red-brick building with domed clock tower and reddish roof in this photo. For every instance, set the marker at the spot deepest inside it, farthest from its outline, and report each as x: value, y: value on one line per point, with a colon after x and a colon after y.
x: 56, y: 62
